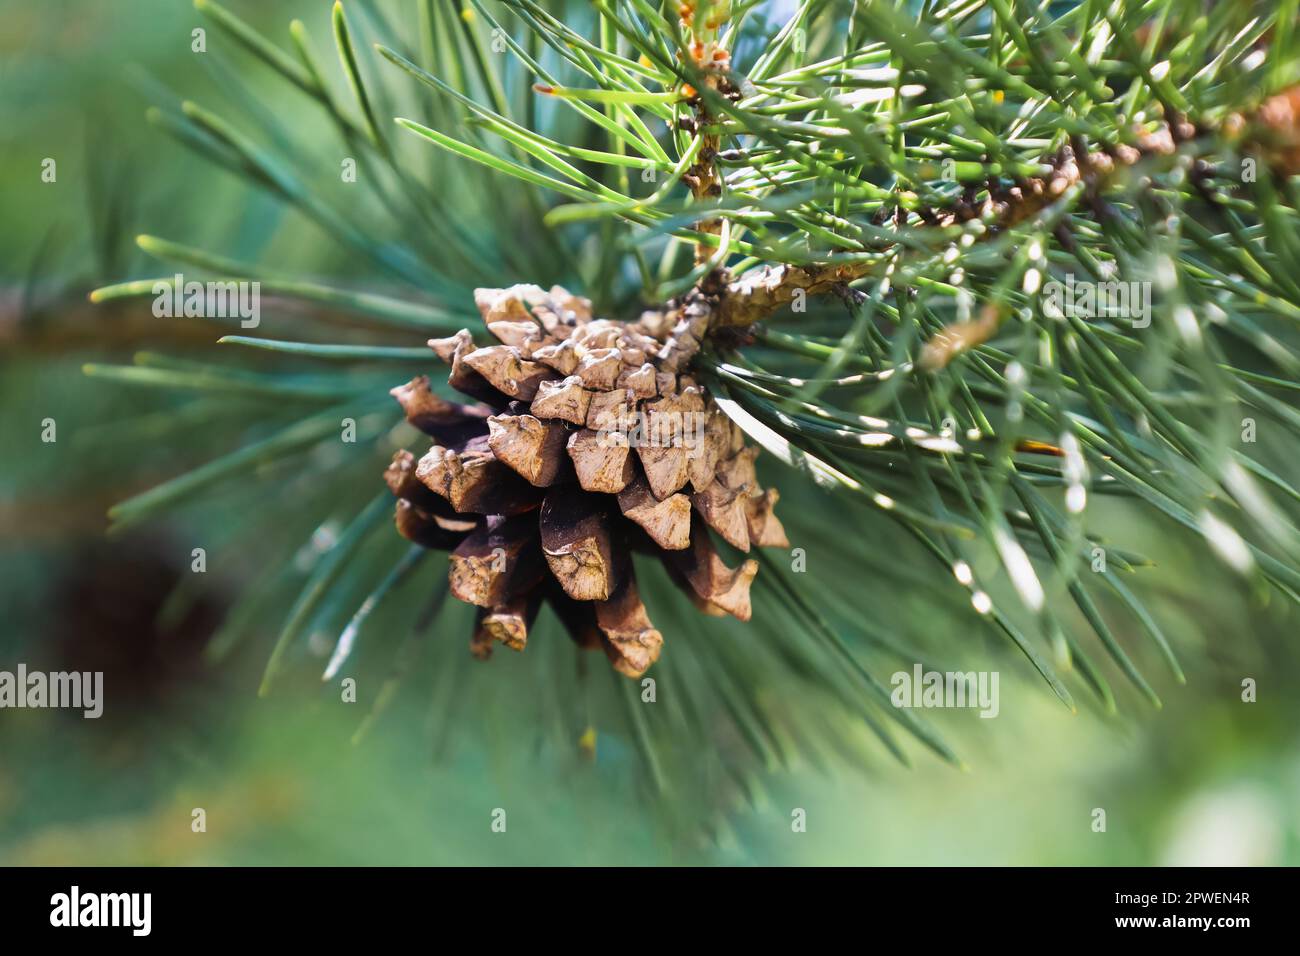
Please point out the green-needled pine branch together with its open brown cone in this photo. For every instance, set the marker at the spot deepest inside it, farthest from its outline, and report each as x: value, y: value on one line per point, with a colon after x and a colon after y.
x: 963, y: 270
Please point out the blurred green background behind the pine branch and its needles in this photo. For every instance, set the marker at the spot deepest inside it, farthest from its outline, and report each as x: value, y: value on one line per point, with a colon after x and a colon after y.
x: 284, y: 781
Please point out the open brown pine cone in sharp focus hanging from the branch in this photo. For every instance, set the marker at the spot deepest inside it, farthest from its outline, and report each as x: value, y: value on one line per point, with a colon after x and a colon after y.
x: 588, y: 442
